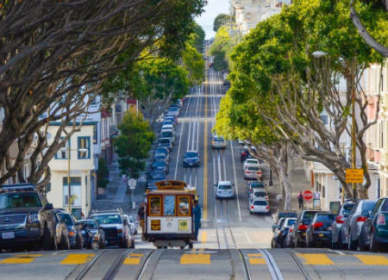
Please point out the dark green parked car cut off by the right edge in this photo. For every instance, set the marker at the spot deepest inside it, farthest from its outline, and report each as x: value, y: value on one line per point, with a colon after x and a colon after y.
x: 374, y: 232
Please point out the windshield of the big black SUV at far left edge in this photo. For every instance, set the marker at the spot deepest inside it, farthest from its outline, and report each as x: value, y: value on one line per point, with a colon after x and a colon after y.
x: 19, y: 200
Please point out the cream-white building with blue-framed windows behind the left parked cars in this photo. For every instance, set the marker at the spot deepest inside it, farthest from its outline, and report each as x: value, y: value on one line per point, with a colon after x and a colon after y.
x: 79, y: 166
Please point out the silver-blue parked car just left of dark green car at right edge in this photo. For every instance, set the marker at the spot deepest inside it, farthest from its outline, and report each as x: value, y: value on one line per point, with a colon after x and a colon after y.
x: 352, y: 228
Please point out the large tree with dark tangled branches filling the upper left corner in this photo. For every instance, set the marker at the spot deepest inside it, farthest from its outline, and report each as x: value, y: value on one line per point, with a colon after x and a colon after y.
x: 54, y: 55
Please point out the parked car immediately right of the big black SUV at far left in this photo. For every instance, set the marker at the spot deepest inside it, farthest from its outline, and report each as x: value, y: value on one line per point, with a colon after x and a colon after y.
x: 72, y: 236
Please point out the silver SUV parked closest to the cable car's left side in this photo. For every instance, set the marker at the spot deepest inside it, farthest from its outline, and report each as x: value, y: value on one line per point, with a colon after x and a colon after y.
x: 115, y: 226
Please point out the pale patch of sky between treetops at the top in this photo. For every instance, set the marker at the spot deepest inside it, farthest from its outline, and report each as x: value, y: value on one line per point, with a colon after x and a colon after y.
x: 212, y: 9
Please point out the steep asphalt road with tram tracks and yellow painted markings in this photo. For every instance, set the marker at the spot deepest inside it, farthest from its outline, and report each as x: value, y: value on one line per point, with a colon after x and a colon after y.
x: 232, y: 243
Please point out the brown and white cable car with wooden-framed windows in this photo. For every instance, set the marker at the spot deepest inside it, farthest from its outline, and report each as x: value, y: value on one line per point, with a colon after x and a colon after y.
x: 169, y: 215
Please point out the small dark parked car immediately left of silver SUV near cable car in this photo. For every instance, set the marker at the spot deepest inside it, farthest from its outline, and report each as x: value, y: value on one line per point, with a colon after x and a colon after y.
x: 93, y: 236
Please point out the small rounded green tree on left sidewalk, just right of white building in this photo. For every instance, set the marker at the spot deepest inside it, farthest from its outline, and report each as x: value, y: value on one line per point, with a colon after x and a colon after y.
x: 133, y: 143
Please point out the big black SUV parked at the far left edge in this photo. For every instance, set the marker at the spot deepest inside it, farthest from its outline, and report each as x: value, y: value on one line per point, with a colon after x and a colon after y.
x: 25, y: 218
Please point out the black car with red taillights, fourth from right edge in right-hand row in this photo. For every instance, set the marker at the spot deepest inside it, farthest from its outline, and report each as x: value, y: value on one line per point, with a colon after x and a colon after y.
x: 319, y: 230
